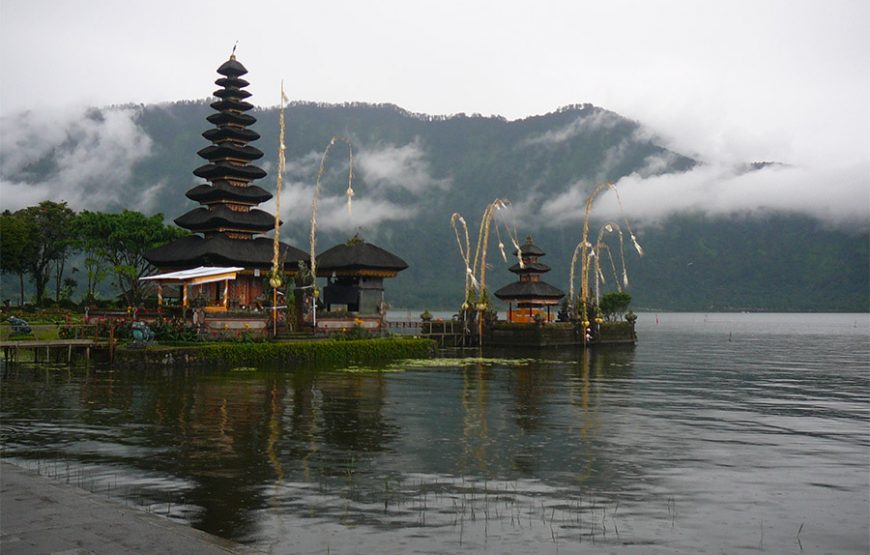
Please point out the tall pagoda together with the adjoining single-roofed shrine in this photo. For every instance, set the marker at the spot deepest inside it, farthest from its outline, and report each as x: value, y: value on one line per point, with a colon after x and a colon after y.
x: 221, y: 277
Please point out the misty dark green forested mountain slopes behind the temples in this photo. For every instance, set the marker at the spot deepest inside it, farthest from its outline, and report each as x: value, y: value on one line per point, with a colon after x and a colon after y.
x: 413, y: 171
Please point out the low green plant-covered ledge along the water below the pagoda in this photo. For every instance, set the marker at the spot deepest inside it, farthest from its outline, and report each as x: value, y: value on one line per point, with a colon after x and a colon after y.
x: 296, y: 353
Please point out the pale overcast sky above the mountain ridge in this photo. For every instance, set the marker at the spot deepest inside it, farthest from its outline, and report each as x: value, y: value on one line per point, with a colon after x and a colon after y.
x: 725, y: 81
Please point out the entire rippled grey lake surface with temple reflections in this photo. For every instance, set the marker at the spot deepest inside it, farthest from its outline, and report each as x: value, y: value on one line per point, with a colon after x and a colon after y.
x: 717, y: 433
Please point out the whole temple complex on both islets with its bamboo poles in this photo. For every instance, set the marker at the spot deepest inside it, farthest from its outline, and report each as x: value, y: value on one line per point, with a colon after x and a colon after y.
x: 227, y: 278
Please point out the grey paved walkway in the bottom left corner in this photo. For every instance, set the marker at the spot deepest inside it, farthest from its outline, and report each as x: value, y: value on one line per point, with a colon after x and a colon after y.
x: 40, y: 516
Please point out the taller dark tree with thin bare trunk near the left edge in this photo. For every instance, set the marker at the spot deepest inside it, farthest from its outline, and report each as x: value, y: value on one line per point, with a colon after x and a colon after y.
x: 50, y: 223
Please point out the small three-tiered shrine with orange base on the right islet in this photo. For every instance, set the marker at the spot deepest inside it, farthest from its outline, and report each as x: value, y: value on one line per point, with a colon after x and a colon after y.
x: 530, y: 299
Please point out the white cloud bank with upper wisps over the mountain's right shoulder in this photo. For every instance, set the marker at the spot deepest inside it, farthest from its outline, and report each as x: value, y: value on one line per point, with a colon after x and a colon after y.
x: 828, y: 182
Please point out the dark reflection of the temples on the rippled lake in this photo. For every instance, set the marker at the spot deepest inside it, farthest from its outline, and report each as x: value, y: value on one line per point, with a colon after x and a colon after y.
x: 223, y: 439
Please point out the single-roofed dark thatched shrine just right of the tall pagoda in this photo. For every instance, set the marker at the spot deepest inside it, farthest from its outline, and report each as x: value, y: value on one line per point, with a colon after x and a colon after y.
x: 355, y: 273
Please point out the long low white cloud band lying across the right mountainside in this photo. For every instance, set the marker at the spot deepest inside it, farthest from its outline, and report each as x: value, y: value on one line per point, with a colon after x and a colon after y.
x: 839, y: 196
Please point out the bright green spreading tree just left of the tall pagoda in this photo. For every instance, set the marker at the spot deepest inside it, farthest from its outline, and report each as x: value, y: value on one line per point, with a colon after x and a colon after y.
x: 129, y: 236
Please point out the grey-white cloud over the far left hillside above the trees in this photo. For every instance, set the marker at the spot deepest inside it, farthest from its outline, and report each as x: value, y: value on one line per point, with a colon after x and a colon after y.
x: 85, y: 157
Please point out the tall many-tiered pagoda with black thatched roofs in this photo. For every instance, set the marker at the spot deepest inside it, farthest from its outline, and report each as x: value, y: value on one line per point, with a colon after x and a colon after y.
x: 227, y: 226
